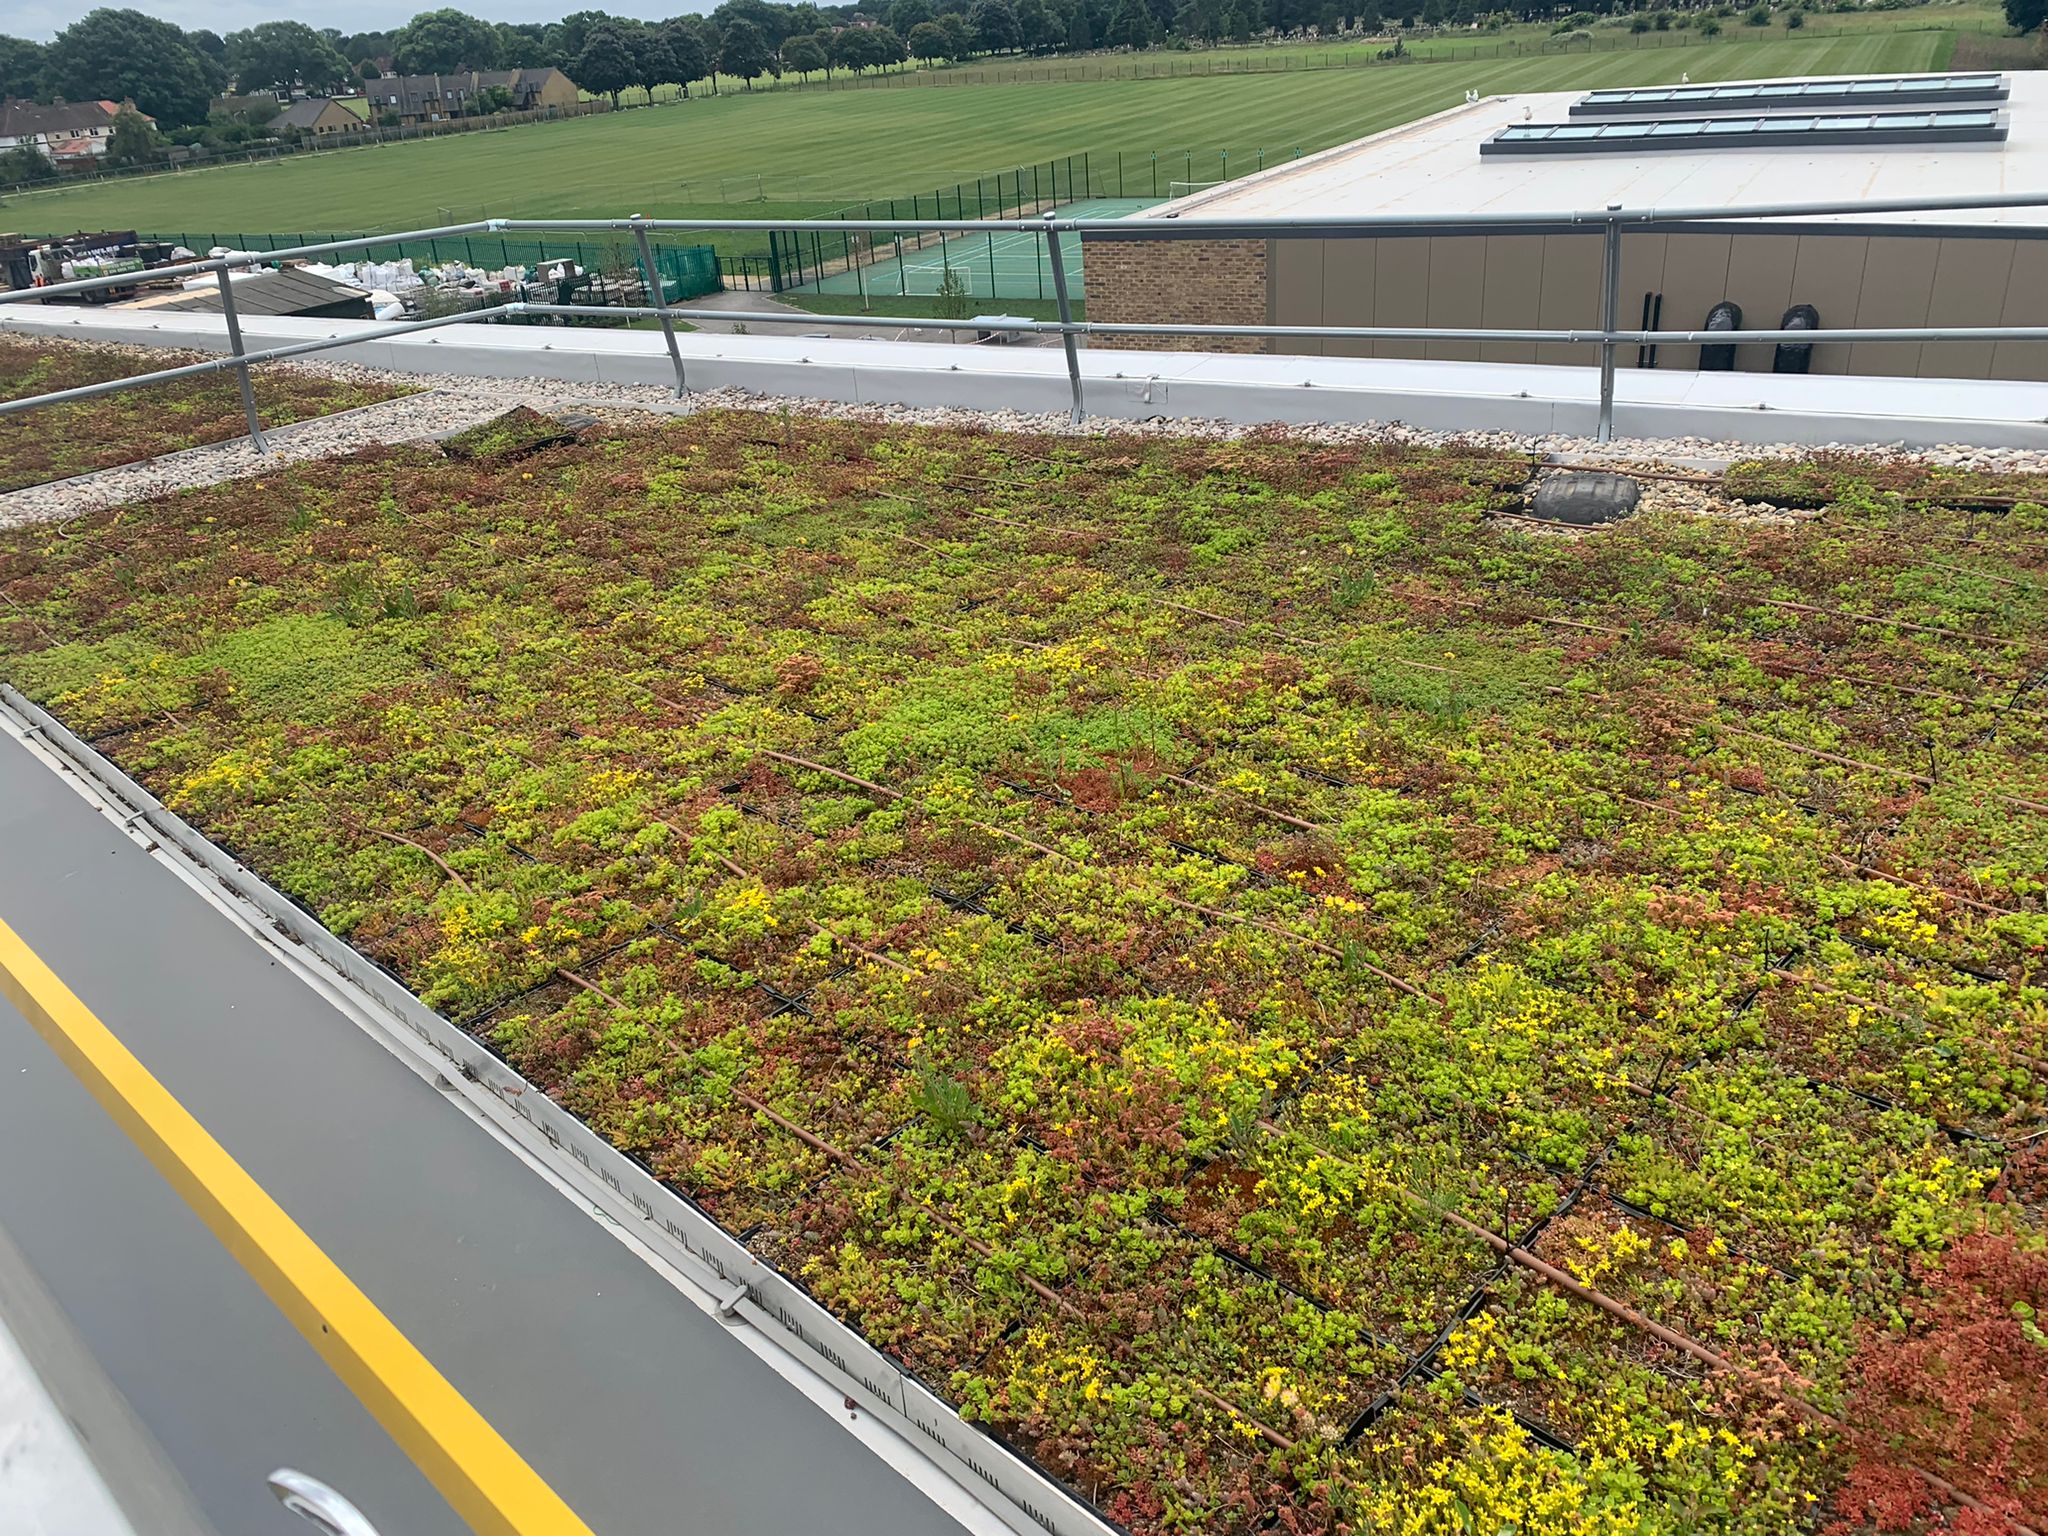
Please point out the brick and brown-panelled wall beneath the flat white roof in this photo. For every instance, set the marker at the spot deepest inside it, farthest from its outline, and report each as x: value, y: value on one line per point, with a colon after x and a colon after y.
x: 1553, y: 284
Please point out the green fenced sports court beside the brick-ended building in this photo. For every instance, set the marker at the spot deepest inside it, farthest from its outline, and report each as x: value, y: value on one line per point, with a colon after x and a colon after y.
x: 1000, y: 265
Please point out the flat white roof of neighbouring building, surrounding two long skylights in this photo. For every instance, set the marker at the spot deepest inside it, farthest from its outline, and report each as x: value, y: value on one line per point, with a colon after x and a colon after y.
x: 1435, y: 167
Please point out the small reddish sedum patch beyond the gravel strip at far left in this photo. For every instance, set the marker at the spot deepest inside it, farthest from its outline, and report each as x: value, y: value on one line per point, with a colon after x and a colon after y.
x: 87, y: 435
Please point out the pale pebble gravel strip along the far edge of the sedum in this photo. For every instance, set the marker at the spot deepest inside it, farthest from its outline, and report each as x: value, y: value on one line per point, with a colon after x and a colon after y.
x: 452, y: 402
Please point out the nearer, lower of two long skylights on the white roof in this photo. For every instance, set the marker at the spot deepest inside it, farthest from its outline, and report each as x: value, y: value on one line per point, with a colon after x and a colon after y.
x: 1750, y: 132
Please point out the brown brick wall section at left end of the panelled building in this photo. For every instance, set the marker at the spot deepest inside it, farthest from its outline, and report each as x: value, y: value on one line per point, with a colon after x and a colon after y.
x: 1193, y: 282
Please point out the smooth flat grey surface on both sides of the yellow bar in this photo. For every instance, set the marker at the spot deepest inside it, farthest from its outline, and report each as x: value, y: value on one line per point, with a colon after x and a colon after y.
x: 640, y: 1410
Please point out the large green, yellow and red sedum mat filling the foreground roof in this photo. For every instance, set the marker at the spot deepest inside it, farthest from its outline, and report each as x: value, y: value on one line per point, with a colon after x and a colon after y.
x: 1295, y: 1002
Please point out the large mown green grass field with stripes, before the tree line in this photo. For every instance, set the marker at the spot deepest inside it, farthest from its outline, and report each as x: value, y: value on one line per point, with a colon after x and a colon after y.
x: 855, y: 144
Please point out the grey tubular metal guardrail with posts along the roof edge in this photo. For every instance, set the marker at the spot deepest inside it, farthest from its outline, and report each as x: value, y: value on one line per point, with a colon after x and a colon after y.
x: 1611, y: 222
